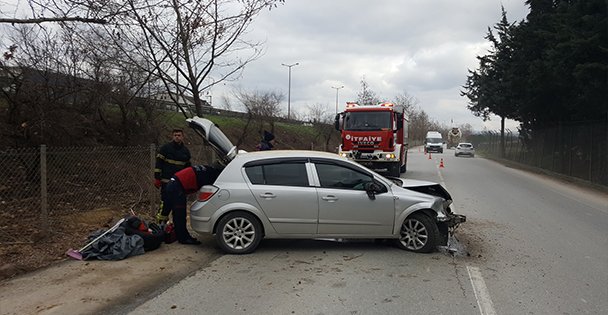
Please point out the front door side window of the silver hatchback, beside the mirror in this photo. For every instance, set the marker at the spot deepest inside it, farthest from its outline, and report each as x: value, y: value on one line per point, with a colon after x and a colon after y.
x: 340, y: 177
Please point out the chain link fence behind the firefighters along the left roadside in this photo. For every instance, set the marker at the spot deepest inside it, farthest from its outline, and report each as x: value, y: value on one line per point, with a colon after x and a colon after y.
x: 41, y: 187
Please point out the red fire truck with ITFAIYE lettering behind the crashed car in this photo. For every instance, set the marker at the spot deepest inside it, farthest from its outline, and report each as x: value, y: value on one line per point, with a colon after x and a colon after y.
x: 375, y: 136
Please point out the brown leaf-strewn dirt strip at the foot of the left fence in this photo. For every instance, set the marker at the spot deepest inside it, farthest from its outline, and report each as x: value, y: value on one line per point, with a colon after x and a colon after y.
x: 39, y: 250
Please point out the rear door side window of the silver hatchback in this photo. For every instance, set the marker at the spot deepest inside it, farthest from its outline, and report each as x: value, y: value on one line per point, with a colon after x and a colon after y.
x: 282, y: 174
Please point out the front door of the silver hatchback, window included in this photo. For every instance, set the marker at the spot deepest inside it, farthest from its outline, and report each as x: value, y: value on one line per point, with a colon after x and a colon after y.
x: 345, y: 207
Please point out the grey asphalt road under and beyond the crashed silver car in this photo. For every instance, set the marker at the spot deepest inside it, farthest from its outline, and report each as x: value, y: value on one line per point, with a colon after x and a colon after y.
x: 532, y: 245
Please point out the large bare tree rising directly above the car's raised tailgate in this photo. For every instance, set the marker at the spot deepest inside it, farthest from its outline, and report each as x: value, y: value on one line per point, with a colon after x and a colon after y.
x: 192, y: 45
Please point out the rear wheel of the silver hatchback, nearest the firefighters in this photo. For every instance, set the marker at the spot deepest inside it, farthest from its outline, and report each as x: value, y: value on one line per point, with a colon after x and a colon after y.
x: 238, y: 233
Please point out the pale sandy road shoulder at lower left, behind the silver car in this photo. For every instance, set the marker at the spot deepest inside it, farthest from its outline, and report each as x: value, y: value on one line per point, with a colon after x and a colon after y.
x: 108, y: 287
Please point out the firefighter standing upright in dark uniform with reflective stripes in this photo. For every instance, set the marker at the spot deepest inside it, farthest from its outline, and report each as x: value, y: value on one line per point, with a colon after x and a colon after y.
x: 171, y: 158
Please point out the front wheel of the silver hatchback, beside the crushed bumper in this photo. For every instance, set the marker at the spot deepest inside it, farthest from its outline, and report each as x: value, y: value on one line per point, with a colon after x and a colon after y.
x: 418, y: 233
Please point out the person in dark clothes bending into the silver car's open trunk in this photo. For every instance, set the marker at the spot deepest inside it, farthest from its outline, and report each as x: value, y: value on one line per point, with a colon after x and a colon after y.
x: 184, y: 182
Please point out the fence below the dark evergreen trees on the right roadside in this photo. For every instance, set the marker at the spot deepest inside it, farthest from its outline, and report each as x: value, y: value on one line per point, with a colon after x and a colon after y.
x: 577, y: 150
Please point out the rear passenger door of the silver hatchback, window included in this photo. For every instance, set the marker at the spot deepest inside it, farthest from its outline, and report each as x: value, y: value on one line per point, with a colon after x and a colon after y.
x: 283, y: 191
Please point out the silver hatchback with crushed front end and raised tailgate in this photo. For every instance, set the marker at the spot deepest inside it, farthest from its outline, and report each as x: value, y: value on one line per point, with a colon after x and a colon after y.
x: 309, y: 194
